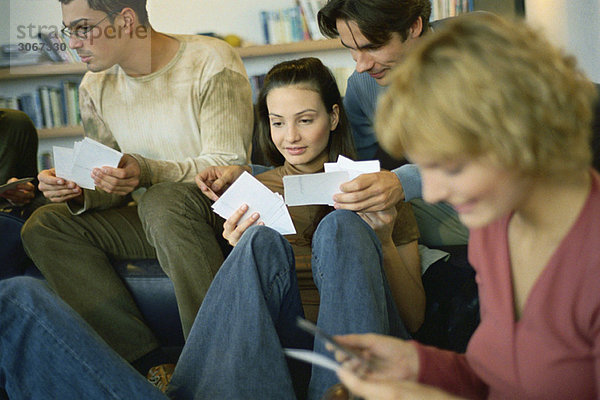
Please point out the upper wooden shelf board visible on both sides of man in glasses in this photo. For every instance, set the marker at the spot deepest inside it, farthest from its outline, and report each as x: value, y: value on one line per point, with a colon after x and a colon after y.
x: 54, y: 69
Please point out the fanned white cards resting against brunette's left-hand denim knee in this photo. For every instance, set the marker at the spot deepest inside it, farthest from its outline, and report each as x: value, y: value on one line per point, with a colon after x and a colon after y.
x: 270, y: 206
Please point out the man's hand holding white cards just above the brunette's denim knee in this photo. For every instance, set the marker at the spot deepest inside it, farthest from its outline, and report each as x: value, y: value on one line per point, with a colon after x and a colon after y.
x: 376, y: 191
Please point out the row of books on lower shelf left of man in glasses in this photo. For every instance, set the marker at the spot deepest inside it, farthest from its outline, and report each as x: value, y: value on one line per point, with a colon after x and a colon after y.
x: 49, y: 107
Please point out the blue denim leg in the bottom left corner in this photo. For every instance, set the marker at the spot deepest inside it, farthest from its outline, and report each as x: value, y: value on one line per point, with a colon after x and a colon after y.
x: 47, y: 351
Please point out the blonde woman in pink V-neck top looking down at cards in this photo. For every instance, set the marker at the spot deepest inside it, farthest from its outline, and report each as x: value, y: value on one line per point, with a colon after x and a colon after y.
x: 508, y: 146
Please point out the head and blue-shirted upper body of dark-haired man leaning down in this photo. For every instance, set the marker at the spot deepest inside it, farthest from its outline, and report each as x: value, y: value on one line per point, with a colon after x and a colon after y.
x: 377, y: 33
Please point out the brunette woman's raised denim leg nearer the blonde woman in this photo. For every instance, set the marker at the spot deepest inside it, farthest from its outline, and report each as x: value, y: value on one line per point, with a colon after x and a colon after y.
x: 347, y: 267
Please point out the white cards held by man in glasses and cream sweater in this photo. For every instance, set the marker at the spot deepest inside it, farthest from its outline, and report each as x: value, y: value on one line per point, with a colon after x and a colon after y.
x: 76, y: 164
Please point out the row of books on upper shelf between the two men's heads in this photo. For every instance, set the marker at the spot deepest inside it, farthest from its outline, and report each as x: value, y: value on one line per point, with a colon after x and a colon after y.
x: 292, y: 24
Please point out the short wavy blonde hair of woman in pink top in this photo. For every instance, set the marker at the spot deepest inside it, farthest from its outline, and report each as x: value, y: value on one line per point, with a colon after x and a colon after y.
x: 485, y: 85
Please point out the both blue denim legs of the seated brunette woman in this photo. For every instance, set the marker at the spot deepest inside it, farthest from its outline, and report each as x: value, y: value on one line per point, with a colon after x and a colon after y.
x: 234, y: 350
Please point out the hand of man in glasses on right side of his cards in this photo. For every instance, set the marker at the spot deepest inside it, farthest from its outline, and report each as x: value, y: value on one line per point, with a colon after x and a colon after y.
x: 121, y: 180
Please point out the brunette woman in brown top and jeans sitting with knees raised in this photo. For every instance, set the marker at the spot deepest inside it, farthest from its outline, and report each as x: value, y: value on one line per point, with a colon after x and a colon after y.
x: 234, y: 349
